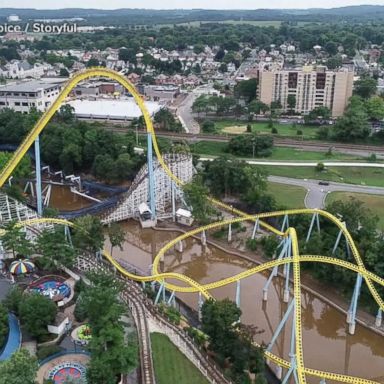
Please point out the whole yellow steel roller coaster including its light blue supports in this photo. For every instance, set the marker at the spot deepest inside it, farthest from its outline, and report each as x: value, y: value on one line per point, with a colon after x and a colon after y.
x: 289, y: 257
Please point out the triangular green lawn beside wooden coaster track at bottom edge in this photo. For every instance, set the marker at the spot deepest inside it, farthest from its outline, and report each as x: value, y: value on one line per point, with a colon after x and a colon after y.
x: 171, y: 366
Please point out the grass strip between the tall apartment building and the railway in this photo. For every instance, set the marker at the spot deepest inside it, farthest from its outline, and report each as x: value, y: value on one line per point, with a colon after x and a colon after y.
x: 236, y: 127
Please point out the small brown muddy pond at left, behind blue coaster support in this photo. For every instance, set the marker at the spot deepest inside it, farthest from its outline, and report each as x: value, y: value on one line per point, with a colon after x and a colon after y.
x: 64, y: 200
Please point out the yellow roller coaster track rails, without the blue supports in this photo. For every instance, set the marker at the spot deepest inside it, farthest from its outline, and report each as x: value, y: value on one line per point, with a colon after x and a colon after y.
x: 191, y: 285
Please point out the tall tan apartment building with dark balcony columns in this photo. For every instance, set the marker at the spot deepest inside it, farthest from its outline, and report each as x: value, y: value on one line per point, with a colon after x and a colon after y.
x: 312, y: 87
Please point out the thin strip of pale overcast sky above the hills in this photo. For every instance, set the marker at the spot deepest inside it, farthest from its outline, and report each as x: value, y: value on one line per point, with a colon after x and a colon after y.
x: 169, y: 4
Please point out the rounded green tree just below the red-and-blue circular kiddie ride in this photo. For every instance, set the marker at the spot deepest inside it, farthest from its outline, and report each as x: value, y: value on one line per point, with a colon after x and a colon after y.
x: 36, y: 313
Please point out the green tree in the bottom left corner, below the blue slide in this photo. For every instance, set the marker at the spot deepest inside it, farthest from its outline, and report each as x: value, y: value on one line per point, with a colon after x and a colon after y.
x: 21, y: 368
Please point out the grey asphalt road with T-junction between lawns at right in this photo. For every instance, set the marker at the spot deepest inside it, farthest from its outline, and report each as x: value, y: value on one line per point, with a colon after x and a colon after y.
x: 316, y: 194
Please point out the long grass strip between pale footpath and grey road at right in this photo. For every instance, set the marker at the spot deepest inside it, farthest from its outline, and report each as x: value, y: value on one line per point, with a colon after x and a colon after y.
x: 352, y: 175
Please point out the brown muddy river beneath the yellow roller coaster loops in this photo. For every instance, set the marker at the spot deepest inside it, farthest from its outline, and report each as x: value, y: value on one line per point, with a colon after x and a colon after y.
x: 327, y: 345
